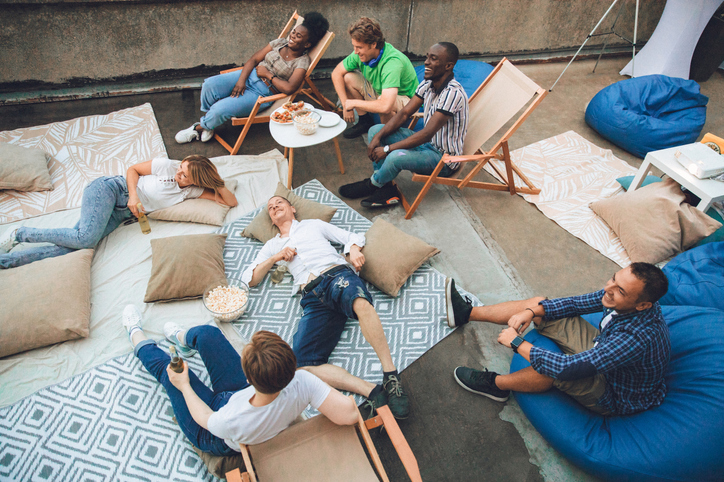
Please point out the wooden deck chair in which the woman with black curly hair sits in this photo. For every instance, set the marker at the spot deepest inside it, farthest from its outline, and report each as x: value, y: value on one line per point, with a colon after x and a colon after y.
x: 311, y: 91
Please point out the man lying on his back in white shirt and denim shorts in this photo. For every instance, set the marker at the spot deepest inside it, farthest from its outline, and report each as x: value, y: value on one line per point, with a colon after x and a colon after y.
x: 331, y: 293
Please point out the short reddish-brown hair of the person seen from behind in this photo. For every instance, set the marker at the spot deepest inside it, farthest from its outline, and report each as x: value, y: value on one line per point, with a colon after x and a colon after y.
x: 268, y: 362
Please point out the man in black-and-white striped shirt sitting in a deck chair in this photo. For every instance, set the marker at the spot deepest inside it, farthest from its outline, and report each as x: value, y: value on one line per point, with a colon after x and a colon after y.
x: 393, y: 148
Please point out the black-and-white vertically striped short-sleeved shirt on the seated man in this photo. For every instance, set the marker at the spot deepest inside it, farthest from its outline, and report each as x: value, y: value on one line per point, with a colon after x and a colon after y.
x: 451, y: 101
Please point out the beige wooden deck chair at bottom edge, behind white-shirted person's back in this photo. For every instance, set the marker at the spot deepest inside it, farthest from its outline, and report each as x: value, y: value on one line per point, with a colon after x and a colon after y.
x: 320, y: 450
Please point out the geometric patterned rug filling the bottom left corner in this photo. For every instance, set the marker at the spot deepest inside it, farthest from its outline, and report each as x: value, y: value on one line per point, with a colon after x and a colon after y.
x: 113, y: 422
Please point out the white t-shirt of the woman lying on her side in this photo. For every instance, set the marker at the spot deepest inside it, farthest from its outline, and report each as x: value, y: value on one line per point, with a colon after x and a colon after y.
x: 160, y: 190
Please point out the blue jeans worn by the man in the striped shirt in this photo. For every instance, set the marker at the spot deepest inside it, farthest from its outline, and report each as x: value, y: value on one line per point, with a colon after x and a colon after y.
x: 421, y: 159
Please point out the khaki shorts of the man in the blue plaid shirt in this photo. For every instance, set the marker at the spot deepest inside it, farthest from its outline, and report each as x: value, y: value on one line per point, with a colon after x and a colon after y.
x: 575, y: 335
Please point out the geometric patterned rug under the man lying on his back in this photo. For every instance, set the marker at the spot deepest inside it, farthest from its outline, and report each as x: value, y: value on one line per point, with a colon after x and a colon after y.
x: 413, y: 322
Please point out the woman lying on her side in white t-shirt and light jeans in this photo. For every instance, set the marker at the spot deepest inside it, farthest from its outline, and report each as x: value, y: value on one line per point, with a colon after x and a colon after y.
x: 110, y: 201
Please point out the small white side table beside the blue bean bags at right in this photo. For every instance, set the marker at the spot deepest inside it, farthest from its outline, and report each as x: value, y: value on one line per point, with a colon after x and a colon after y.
x: 707, y: 190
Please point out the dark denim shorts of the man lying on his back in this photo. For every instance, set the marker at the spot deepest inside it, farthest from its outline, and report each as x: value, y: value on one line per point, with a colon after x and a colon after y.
x: 326, y: 310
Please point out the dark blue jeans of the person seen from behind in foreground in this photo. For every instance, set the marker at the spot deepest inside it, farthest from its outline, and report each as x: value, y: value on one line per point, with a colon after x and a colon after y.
x: 224, y: 366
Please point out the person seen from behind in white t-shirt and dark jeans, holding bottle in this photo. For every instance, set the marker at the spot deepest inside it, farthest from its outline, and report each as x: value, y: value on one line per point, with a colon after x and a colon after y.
x: 254, y: 396
